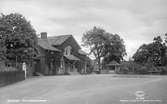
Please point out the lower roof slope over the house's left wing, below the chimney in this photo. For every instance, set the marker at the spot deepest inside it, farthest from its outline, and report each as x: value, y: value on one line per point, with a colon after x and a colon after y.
x: 46, y: 45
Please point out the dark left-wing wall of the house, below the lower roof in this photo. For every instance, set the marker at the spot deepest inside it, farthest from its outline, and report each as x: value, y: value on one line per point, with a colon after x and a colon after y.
x: 49, y: 62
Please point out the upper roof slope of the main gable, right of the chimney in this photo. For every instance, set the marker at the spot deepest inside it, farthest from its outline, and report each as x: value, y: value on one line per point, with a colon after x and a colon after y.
x: 58, y: 40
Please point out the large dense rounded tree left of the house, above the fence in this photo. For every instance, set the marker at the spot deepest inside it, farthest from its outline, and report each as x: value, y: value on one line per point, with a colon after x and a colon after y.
x: 18, y: 37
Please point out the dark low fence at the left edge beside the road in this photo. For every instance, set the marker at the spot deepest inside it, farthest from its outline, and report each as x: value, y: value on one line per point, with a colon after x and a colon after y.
x: 9, y: 77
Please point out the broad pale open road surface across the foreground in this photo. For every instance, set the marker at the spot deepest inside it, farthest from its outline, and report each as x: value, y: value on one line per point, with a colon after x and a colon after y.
x: 86, y: 89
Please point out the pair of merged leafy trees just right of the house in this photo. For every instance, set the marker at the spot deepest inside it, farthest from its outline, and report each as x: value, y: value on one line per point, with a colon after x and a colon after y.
x: 104, y: 46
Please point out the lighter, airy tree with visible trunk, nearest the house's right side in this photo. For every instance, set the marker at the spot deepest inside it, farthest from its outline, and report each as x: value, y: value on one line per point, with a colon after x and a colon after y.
x: 94, y: 39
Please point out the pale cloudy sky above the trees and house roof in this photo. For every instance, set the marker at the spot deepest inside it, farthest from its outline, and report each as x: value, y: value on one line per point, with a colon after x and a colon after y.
x: 136, y: 21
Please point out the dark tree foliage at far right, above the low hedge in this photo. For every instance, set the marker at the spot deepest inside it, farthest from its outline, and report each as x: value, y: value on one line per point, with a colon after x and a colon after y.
x: 151, y: 53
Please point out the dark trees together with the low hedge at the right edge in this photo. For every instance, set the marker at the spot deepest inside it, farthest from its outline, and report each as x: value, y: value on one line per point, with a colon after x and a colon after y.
x: 149, y: 58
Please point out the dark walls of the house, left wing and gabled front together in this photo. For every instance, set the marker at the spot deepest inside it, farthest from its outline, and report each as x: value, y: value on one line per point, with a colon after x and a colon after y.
x: 50, y: 63
